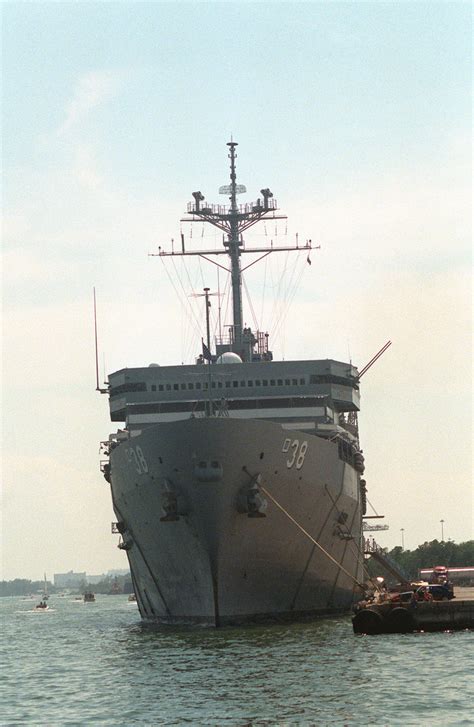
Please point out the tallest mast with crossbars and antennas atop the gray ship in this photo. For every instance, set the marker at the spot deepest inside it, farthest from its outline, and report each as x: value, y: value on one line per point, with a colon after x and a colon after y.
x: 233, y: 220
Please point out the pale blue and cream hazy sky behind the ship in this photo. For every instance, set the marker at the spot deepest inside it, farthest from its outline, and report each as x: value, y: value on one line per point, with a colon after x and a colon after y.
x: 356, y: 114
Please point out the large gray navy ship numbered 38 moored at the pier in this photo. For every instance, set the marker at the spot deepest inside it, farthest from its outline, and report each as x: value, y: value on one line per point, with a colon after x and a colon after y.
x: 237, y: 480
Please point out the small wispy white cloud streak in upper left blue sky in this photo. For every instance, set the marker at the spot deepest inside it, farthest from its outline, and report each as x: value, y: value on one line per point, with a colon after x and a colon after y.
x: 92, y: 90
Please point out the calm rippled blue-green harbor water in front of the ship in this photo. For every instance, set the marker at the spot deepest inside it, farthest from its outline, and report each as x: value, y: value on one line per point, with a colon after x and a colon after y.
x: 95, y: 664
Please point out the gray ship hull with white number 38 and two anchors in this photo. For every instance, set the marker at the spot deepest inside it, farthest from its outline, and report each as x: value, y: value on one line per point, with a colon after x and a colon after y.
x: 190, y: 498
